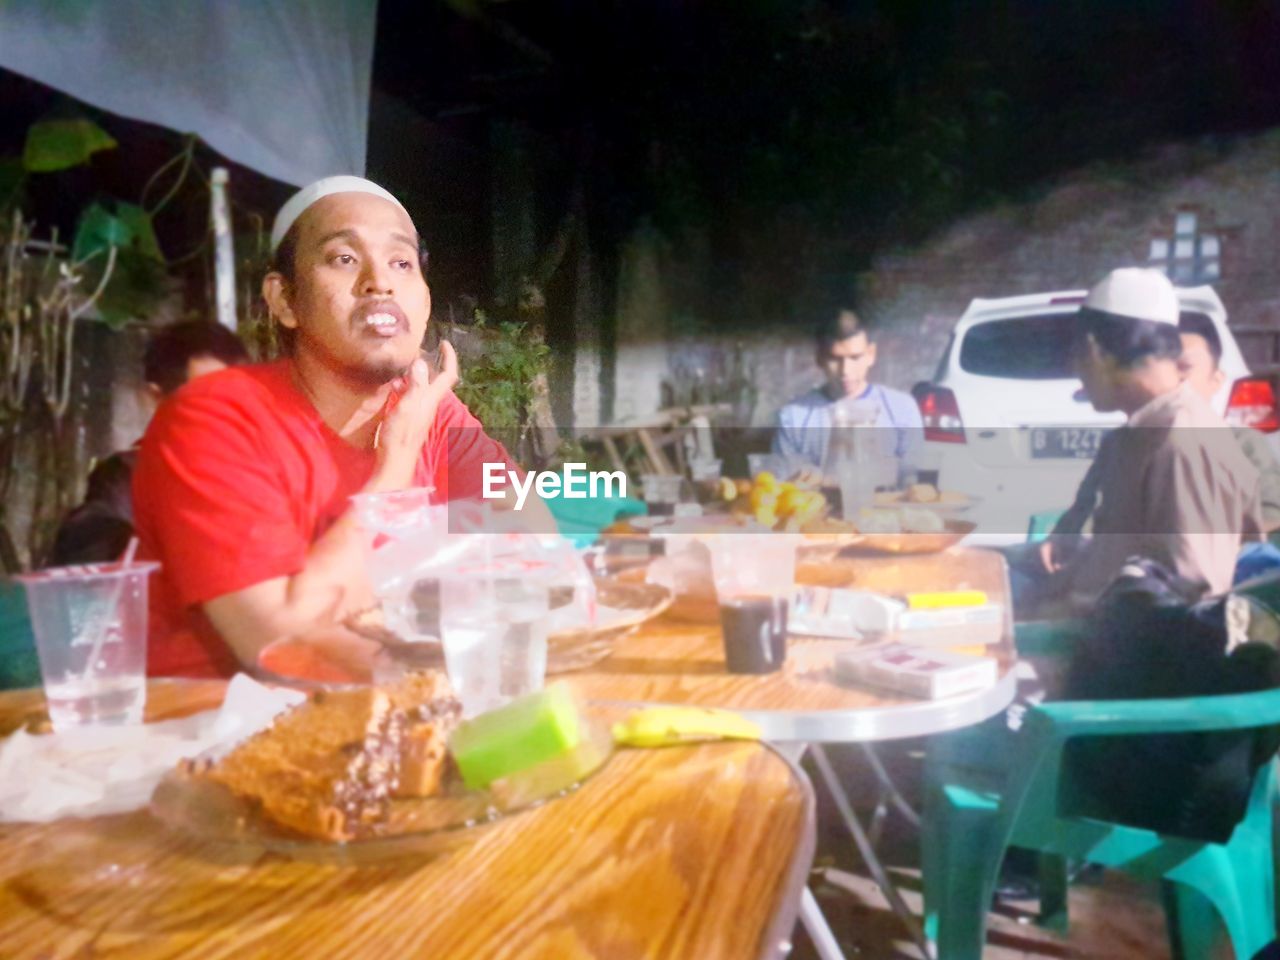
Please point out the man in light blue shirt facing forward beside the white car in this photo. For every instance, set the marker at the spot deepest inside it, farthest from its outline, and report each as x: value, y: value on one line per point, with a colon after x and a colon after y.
x: 847, y: 354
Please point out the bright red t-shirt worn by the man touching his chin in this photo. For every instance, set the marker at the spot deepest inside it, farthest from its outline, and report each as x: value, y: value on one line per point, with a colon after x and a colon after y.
x: 237, y: 477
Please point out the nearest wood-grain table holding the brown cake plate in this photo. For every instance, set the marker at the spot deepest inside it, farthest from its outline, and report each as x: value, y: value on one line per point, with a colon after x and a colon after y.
x: 697, y: 852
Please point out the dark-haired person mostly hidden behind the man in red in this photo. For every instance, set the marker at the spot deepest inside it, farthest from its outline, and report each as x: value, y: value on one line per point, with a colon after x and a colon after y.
x: 99, y: 531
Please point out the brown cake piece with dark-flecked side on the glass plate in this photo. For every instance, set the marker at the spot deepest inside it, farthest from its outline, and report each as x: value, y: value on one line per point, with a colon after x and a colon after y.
x: 332, y: 766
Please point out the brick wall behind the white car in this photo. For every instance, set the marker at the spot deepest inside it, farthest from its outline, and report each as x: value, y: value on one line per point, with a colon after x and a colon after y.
x: 1080, y: 230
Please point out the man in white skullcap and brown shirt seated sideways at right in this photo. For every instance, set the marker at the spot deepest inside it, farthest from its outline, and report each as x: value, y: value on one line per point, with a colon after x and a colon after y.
x: 1172, y: 487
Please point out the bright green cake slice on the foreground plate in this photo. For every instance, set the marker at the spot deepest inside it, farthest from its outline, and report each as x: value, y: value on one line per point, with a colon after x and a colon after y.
x: 514, y: 738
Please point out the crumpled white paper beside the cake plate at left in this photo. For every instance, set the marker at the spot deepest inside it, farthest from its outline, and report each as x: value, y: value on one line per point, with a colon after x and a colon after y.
x: 95, y: 771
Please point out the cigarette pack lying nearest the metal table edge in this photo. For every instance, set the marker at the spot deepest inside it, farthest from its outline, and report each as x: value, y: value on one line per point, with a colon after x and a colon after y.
x: 917, y: 671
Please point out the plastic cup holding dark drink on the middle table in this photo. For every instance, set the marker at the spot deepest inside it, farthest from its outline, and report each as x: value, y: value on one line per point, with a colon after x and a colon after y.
x: 755, y: 578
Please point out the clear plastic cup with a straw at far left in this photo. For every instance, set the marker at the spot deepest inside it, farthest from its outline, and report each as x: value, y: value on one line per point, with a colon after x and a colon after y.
x: 92, y: 639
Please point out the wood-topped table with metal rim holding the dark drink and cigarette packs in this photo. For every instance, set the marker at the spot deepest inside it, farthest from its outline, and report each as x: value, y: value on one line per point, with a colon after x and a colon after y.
x: 670, y: 661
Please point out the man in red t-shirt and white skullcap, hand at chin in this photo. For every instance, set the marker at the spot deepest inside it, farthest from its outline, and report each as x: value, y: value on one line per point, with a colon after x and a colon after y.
x: 244, y: 479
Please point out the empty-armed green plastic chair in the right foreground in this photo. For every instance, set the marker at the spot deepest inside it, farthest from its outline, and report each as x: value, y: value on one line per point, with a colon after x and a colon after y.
x: 972, y: 817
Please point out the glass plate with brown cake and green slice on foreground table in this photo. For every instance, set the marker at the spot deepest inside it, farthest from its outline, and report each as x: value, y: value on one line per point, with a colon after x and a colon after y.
x: 383, y: 771
